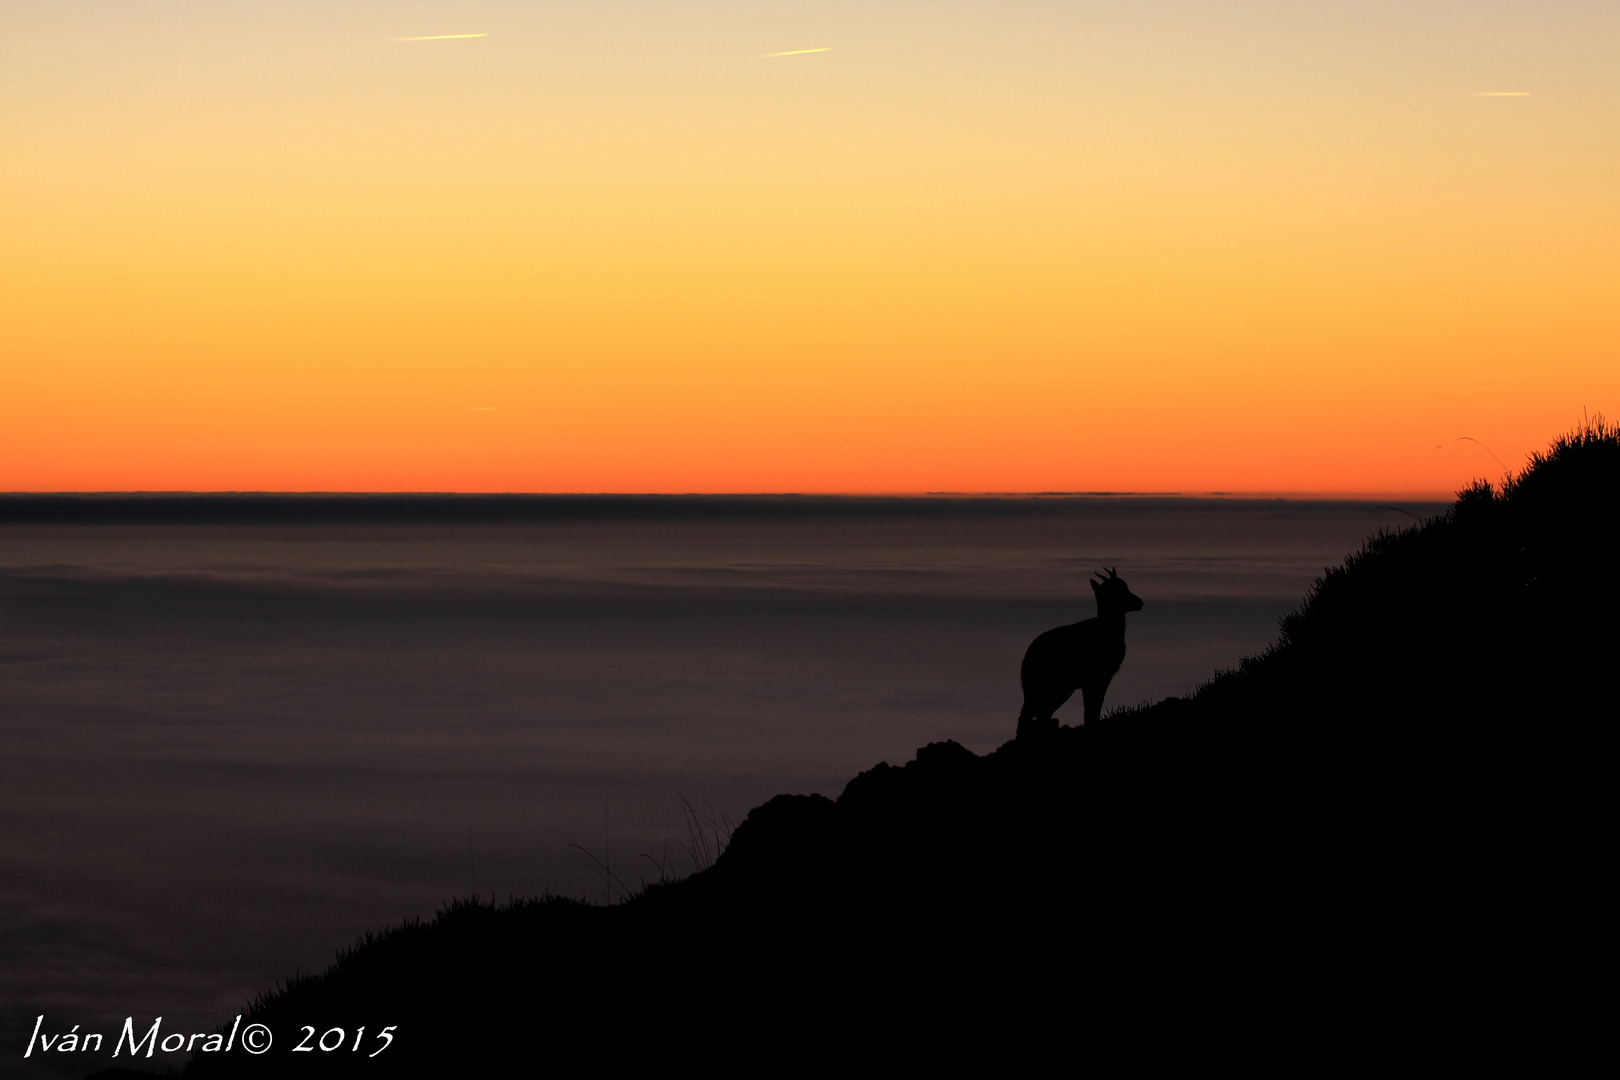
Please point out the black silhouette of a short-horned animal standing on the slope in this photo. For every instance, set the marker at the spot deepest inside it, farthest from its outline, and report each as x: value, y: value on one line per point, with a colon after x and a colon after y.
x: 1081, y: 657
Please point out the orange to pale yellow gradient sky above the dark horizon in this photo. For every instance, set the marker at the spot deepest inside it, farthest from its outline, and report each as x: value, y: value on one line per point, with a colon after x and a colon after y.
x: 968, y: 247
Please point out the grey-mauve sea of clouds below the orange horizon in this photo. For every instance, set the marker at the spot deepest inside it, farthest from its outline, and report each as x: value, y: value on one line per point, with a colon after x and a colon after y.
x: 234, y: 750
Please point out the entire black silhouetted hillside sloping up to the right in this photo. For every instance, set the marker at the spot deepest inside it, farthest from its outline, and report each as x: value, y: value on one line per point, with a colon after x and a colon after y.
x: 1389, y: 825
